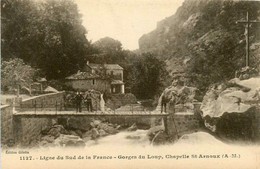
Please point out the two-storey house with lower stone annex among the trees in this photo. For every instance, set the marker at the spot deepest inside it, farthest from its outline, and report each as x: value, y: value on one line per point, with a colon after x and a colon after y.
x: 101, y: 77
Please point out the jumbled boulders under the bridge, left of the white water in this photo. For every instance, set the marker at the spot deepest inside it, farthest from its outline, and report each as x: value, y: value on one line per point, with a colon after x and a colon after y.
x: 76, y: 135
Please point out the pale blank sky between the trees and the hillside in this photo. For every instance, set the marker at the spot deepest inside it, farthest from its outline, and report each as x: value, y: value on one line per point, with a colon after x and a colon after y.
x: 124, y: 20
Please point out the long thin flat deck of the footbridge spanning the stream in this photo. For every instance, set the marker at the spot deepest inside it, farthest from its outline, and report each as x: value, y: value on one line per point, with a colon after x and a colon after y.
x: 85, y: 113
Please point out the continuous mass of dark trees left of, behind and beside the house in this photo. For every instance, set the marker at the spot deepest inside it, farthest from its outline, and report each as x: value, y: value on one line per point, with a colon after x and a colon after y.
x: 48, y: 36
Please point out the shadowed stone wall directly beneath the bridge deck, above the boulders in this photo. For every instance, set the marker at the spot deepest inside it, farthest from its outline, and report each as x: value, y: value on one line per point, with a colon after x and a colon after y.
x: 26, y: 128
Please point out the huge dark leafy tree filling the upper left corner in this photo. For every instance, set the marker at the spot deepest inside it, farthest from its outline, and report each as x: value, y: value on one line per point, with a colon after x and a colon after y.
x: 48, y: 35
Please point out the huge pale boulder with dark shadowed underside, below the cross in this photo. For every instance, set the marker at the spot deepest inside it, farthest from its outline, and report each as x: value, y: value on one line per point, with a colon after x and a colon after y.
x: 232, y: 109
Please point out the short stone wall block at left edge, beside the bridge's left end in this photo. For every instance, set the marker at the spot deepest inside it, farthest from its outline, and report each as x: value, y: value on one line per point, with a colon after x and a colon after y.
x: 6, y: 124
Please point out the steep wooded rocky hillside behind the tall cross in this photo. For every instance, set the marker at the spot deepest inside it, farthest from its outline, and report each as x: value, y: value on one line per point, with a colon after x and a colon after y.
x: 204, y: 41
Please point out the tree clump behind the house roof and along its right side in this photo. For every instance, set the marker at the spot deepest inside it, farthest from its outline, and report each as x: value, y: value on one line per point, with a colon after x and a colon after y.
x: 144, y: 74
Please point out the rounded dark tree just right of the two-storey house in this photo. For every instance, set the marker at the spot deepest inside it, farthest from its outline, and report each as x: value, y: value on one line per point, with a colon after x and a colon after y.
x: 147, y: 76
